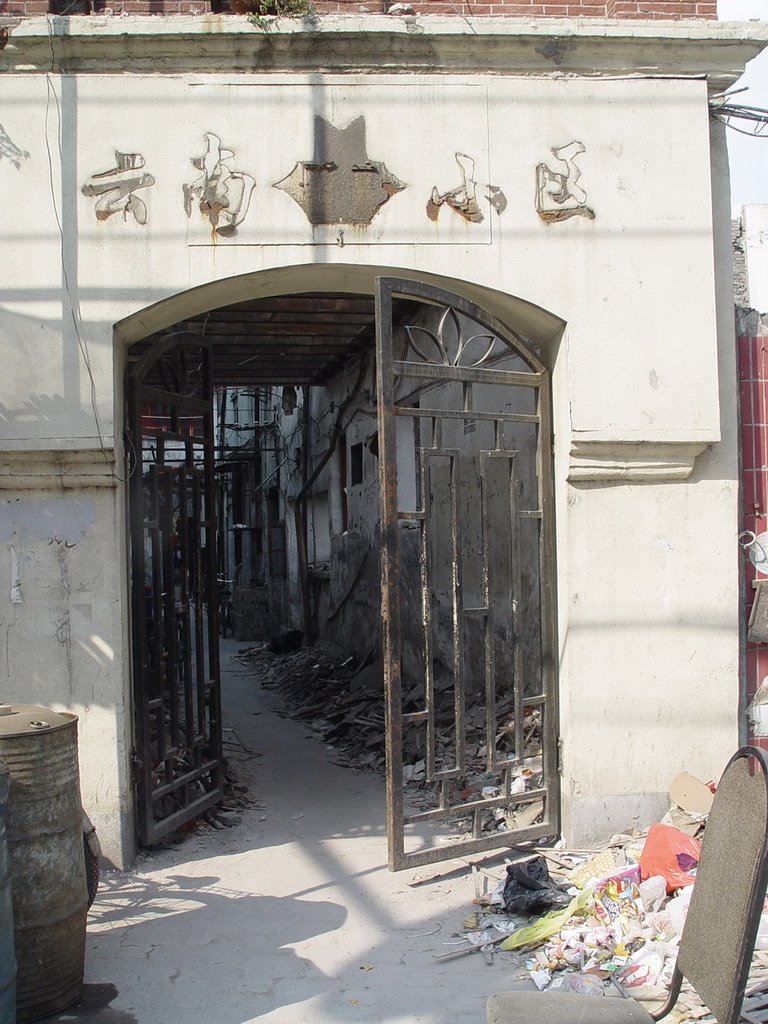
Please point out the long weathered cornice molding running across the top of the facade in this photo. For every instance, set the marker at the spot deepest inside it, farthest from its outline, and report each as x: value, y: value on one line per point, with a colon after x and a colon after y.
x: 418, y: 45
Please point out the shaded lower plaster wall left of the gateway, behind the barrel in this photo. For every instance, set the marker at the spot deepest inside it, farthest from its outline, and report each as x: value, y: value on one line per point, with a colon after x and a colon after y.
x: 62, y: 641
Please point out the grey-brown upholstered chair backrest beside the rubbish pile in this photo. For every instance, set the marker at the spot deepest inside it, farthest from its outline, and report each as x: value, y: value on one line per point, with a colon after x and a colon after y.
x: 721, y: 928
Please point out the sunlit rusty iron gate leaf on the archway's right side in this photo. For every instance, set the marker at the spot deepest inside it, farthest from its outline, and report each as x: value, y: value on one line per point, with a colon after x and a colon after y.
x: 467, y: 579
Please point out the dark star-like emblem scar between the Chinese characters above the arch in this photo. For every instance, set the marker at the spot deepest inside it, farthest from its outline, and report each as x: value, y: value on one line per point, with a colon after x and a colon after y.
x: 342, y: 185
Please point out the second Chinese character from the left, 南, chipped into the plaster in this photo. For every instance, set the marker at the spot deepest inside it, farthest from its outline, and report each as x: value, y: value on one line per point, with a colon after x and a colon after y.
x: 222, y: 194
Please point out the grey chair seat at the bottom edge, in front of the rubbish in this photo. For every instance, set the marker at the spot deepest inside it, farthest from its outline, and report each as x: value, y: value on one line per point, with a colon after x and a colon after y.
x: 564, y: 1008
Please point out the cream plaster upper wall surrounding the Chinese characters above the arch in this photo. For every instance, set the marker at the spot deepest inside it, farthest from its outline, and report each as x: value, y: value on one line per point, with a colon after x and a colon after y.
x: 614, y: 280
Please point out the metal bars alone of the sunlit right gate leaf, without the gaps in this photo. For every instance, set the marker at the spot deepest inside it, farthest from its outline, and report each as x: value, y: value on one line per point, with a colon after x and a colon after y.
x: 390, y: 371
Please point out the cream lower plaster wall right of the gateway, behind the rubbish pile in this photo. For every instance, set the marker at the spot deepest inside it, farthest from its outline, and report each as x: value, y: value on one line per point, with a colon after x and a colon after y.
x: 649, y: 614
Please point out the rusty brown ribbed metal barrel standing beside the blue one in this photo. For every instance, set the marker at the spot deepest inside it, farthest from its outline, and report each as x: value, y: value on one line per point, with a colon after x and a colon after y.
x: 46, y: 842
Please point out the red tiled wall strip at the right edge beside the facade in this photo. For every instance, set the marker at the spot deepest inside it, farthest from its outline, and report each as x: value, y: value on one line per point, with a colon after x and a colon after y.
x: 753, y: 374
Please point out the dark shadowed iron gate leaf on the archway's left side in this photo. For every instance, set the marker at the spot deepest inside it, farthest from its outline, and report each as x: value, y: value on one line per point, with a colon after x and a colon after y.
x: 177, y: 693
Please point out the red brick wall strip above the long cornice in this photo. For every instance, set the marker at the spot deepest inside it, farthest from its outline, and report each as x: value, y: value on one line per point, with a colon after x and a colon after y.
x: 524, y: 9
